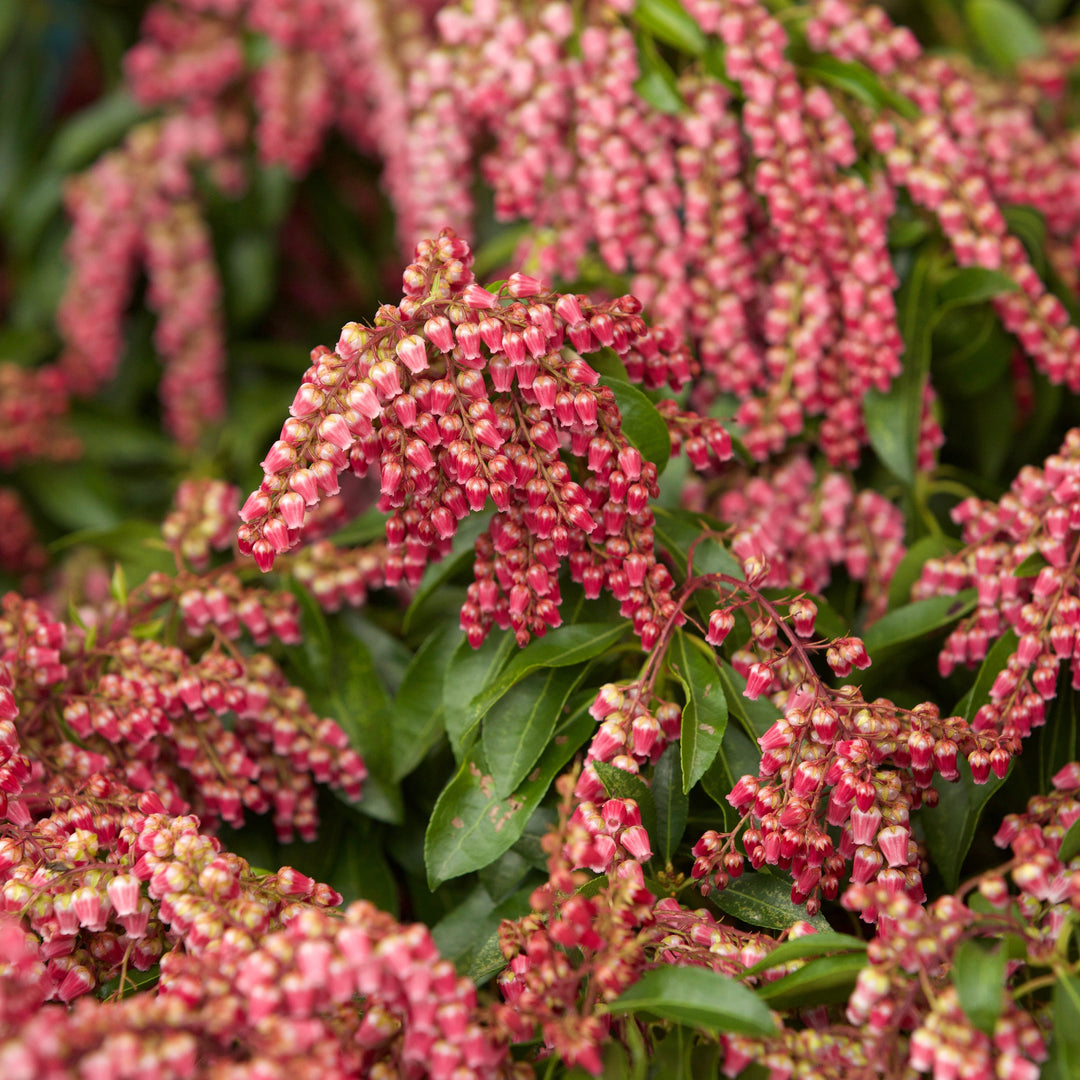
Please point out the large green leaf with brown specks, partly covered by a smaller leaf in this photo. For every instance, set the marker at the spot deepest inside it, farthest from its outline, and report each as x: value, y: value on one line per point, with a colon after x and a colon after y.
x: 471, y: 828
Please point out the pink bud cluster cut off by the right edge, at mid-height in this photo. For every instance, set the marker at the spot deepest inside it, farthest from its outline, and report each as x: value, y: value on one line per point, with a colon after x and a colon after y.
x: 1021, y: 557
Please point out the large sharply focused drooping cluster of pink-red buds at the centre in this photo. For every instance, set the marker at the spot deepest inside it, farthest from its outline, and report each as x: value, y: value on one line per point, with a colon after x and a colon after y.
x: 460, y: 396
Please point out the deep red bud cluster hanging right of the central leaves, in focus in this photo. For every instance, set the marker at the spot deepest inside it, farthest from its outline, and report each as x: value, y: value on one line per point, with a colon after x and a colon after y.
x: 833, y: 760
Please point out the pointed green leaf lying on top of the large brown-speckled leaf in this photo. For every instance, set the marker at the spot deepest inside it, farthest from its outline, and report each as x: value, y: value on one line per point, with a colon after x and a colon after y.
x: 519, y: 726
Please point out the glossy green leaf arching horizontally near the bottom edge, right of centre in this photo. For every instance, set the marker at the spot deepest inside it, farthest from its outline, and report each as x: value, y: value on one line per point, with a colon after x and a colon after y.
x: 697, y: 997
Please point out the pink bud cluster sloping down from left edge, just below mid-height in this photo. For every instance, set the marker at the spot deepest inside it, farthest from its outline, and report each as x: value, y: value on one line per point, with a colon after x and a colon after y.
x: 152, y: 717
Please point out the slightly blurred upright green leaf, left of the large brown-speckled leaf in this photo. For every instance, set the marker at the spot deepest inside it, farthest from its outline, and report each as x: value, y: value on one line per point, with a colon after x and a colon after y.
x: 418, y: 709
